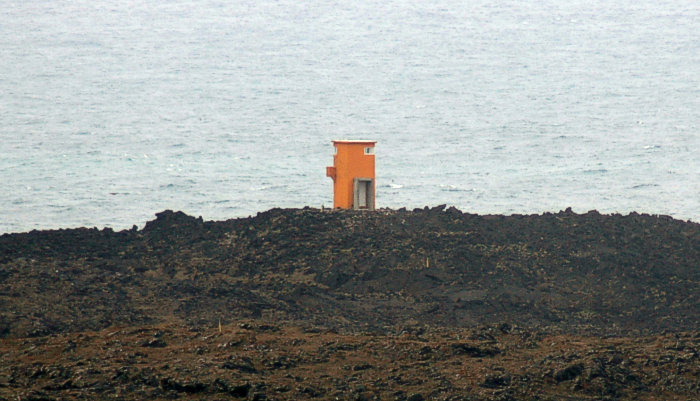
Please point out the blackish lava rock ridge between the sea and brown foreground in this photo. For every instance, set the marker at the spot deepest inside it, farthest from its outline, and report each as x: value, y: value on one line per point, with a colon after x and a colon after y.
x: 578, y: 273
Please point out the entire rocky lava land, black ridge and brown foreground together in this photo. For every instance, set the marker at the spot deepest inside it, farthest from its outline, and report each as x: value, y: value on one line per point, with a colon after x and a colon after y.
x: 322, y: 304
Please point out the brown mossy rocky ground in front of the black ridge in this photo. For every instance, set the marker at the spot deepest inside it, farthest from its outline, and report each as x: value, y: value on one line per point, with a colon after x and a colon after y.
x: 257, y: 361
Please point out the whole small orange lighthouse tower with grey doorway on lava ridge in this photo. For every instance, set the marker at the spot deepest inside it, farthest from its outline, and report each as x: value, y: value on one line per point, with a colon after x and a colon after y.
x: 353, y: 174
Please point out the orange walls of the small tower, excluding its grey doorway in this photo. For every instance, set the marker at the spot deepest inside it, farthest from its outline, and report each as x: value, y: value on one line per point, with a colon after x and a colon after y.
x: 350, y: 162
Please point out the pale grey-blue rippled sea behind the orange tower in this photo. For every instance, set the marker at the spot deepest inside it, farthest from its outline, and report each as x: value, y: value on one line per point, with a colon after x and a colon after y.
x: 111, y: 111
